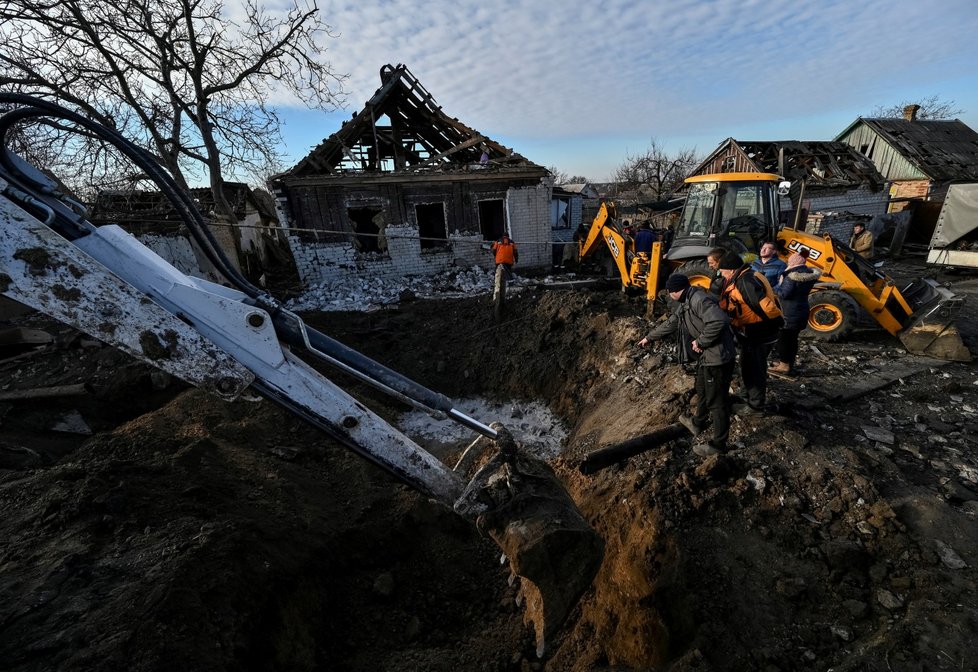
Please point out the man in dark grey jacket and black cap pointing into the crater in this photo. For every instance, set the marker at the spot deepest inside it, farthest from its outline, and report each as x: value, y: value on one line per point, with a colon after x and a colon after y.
x: 704, y: 336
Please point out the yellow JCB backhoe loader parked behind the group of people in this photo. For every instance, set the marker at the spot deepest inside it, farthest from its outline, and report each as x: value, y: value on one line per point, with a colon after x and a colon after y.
x: 737, y: 211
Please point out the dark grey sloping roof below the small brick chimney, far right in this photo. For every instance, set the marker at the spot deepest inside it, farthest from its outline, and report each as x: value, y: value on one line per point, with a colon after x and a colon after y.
x: 941, y: 149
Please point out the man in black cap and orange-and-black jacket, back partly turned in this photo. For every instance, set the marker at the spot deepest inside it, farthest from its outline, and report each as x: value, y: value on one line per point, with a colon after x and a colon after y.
x: 749, y: 300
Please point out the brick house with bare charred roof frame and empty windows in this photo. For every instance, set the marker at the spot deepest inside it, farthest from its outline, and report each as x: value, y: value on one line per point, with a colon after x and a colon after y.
x: 403, y: 189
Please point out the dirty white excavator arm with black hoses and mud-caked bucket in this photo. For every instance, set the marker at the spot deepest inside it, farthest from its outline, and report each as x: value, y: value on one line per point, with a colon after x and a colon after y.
x: 104, y: 282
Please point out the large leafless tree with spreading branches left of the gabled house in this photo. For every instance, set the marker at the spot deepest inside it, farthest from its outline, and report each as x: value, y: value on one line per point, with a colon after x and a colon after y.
x: 178, y: 77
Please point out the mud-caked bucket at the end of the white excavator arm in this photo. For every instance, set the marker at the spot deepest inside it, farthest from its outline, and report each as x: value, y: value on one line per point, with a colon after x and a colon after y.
x: 519, y: 502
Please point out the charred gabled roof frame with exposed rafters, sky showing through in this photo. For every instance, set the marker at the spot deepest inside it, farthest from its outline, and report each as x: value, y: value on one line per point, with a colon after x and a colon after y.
x: 402, y: 129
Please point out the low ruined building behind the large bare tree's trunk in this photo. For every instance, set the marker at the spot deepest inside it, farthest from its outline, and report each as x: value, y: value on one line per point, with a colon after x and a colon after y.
x: 253, y: 244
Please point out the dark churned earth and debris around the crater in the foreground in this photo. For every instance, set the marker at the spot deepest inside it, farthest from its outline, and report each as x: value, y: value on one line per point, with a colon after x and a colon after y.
x: 197, y: 534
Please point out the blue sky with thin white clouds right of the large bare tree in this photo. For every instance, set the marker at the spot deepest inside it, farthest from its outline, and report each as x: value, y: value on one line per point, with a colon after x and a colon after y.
x: 582, y: 84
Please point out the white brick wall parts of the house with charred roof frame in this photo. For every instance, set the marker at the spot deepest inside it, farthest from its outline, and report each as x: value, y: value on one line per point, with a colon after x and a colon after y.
x: 528, y: 214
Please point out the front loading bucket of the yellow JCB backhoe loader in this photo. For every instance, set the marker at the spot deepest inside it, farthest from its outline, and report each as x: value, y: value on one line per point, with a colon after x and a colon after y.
x: 931, y: 329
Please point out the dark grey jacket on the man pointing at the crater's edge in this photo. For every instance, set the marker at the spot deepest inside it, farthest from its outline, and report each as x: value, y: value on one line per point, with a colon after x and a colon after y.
x: 699, y: 317
